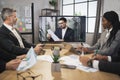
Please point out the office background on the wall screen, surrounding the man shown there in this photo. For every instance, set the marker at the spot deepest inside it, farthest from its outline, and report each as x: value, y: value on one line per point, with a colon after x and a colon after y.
x: 76, y: 23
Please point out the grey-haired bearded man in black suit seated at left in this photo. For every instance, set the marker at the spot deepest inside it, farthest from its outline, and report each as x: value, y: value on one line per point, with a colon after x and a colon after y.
x: 10, y: 39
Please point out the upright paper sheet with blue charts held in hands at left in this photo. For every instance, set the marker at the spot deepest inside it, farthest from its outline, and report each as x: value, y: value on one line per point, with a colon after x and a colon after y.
x: 29, y: 61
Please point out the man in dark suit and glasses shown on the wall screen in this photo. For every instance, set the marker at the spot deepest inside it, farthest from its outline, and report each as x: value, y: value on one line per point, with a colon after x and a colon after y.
x: 64, y: 32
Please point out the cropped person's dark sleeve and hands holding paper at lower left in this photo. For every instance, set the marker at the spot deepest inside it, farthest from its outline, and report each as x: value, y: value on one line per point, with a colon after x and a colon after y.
x: 9, y: 61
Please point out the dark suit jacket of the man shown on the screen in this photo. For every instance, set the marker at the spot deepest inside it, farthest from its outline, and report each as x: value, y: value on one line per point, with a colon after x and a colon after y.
x: 69, y: 35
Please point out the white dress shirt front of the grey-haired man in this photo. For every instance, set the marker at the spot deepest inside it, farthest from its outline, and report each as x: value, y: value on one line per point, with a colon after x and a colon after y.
x: 13, y: 30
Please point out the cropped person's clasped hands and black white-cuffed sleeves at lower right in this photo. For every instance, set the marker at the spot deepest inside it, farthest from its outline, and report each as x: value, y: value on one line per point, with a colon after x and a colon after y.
x: 103, y: 63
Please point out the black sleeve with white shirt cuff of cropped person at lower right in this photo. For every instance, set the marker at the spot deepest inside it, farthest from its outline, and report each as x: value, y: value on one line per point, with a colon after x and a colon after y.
x: 112, y: 66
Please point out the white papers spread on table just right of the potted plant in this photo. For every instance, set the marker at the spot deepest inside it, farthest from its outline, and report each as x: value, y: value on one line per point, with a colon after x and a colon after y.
x: 74, y: 60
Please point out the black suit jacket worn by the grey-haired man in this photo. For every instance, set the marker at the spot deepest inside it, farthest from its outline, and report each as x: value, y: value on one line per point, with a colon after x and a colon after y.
x: 9, y: 42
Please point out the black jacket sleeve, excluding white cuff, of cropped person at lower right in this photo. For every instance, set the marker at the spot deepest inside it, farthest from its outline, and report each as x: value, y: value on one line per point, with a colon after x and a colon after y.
x: 112, y: 67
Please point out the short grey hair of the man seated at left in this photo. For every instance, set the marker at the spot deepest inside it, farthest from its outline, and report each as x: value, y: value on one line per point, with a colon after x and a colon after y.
x: 6, y: 12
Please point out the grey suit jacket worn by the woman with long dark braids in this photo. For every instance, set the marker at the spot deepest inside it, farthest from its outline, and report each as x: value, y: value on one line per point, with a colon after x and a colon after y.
x: 112, y: 50
